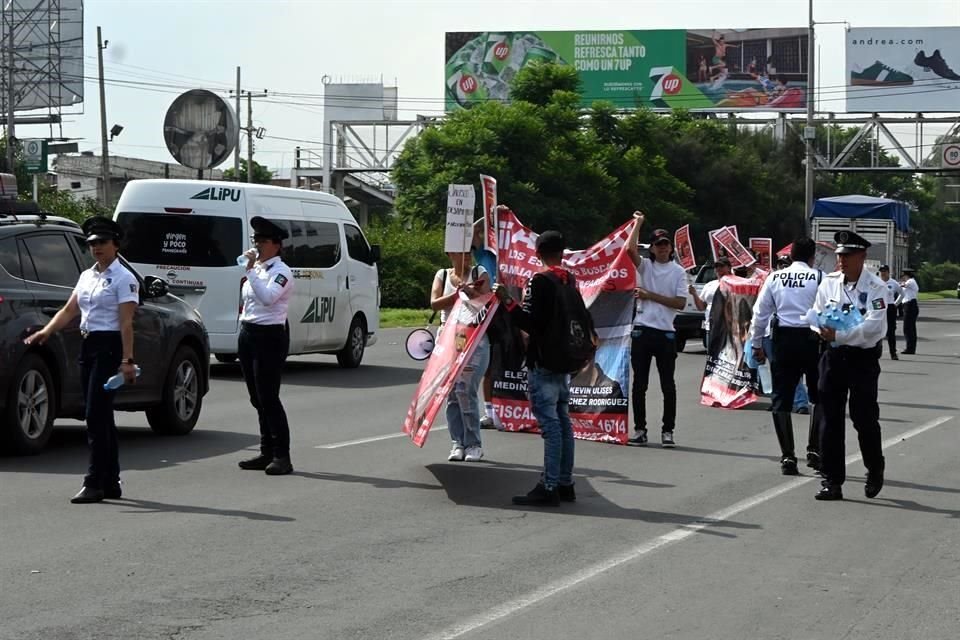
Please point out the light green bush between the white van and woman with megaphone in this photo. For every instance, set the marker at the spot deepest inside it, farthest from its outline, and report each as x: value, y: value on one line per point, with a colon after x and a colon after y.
x: 411, y: 254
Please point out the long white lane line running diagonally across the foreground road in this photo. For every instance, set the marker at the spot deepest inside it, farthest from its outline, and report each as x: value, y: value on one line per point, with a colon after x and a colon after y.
x: 677, y: 535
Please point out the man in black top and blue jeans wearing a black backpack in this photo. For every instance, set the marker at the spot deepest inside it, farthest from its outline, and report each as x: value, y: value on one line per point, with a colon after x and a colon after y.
x: 550, y: 300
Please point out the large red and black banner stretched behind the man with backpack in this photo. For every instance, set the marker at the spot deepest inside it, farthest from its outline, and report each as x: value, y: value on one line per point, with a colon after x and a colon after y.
x: 606, y: 277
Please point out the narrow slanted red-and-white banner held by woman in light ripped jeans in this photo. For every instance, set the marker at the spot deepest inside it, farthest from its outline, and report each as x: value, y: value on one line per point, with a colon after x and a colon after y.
x: 455, y: 346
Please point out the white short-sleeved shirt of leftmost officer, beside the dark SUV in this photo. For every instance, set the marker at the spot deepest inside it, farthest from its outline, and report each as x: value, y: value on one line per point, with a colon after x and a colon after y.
x: 100, y: 295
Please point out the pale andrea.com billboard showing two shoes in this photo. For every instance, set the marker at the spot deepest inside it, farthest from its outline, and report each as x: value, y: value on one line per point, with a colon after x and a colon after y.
x: 909, y: 69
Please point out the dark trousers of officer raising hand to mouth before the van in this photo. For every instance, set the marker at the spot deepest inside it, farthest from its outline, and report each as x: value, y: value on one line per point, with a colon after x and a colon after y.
x: 262, y: 350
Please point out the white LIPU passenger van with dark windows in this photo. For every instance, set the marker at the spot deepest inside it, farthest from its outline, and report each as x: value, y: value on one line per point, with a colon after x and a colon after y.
x: 190, y: 232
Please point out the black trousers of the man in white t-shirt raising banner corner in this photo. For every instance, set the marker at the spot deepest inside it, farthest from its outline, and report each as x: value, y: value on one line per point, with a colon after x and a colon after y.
x: 653, y: 344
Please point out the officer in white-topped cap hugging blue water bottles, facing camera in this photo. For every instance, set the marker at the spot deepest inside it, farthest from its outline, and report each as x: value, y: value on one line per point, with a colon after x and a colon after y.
x: 850, y: 365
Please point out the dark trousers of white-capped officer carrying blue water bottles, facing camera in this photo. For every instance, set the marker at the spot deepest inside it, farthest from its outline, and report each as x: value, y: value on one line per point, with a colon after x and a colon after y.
x: 855, y: 372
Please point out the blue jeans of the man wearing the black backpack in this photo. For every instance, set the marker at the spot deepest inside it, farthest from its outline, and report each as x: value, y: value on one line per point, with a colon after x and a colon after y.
x: 550, y: 402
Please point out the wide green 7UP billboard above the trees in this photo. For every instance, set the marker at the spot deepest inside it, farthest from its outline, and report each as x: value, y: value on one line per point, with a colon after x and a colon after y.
x: 712, y: 69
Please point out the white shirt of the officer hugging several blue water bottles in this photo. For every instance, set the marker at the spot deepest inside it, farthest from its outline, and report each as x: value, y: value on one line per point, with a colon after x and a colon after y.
x: 869, y: 295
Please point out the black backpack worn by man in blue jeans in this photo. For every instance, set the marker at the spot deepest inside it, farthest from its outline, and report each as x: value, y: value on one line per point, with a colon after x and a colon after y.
x: 569, y: 341
